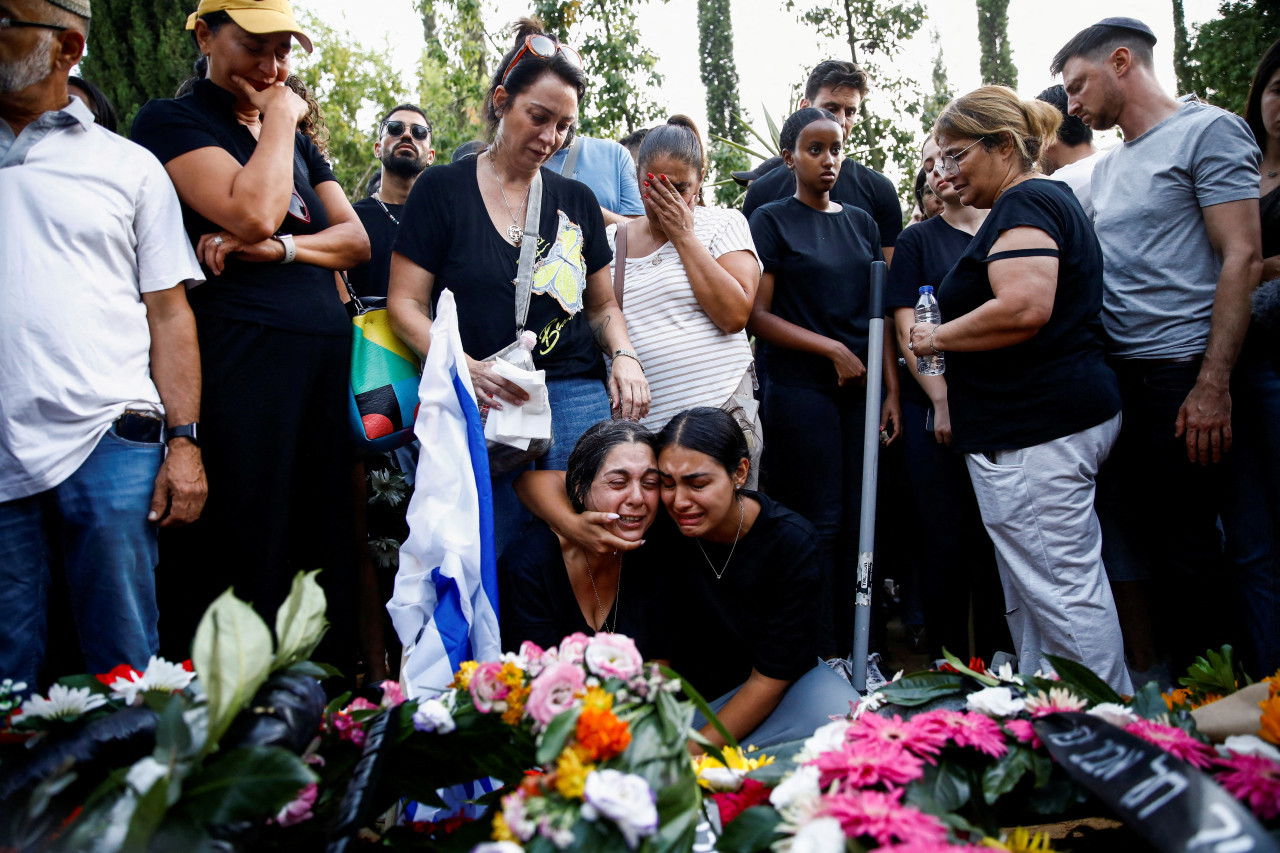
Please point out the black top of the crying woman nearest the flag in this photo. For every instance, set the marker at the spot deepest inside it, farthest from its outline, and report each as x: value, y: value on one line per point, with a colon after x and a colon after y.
x: 538, y: 601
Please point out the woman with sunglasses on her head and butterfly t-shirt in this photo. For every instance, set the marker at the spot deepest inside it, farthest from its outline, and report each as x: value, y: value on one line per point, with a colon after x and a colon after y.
x: 464, y: 230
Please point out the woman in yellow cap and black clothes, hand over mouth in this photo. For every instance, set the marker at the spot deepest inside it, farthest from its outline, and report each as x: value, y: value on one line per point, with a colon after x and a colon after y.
x: 271, y: 223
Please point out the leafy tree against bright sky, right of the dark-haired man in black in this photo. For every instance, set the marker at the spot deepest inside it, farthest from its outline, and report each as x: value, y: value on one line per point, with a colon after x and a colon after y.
x: 876, y: 31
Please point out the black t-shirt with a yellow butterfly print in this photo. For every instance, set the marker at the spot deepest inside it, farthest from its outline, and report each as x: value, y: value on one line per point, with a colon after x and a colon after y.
x: 447, y: 232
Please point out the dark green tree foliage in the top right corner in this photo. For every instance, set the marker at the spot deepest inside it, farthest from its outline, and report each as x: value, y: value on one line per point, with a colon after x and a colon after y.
x: 1228, y: 51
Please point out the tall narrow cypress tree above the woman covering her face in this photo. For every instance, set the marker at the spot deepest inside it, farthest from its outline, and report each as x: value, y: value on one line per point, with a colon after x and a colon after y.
x: 720, y: 77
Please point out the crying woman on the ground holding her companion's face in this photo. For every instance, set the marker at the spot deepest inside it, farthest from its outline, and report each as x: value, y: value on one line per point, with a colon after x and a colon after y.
x: 743, y: 582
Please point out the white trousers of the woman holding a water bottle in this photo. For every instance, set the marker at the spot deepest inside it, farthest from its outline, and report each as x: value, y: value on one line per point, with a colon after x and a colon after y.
x: 1037, y: 505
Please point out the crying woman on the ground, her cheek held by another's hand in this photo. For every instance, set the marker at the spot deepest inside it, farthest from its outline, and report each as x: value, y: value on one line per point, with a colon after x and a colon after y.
x: 552, y: 587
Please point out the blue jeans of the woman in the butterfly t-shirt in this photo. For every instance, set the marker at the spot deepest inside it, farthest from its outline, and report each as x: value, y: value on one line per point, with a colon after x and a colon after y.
x: 577, y: 405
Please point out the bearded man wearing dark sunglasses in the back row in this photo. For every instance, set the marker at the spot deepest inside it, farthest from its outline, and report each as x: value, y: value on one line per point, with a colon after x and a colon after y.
x: 405, y: 150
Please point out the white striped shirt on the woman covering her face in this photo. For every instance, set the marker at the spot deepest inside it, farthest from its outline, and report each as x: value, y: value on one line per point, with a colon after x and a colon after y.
x: 688, y: 361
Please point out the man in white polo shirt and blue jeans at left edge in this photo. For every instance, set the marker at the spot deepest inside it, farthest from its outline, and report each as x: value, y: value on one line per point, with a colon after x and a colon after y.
x: 99, y: 358
